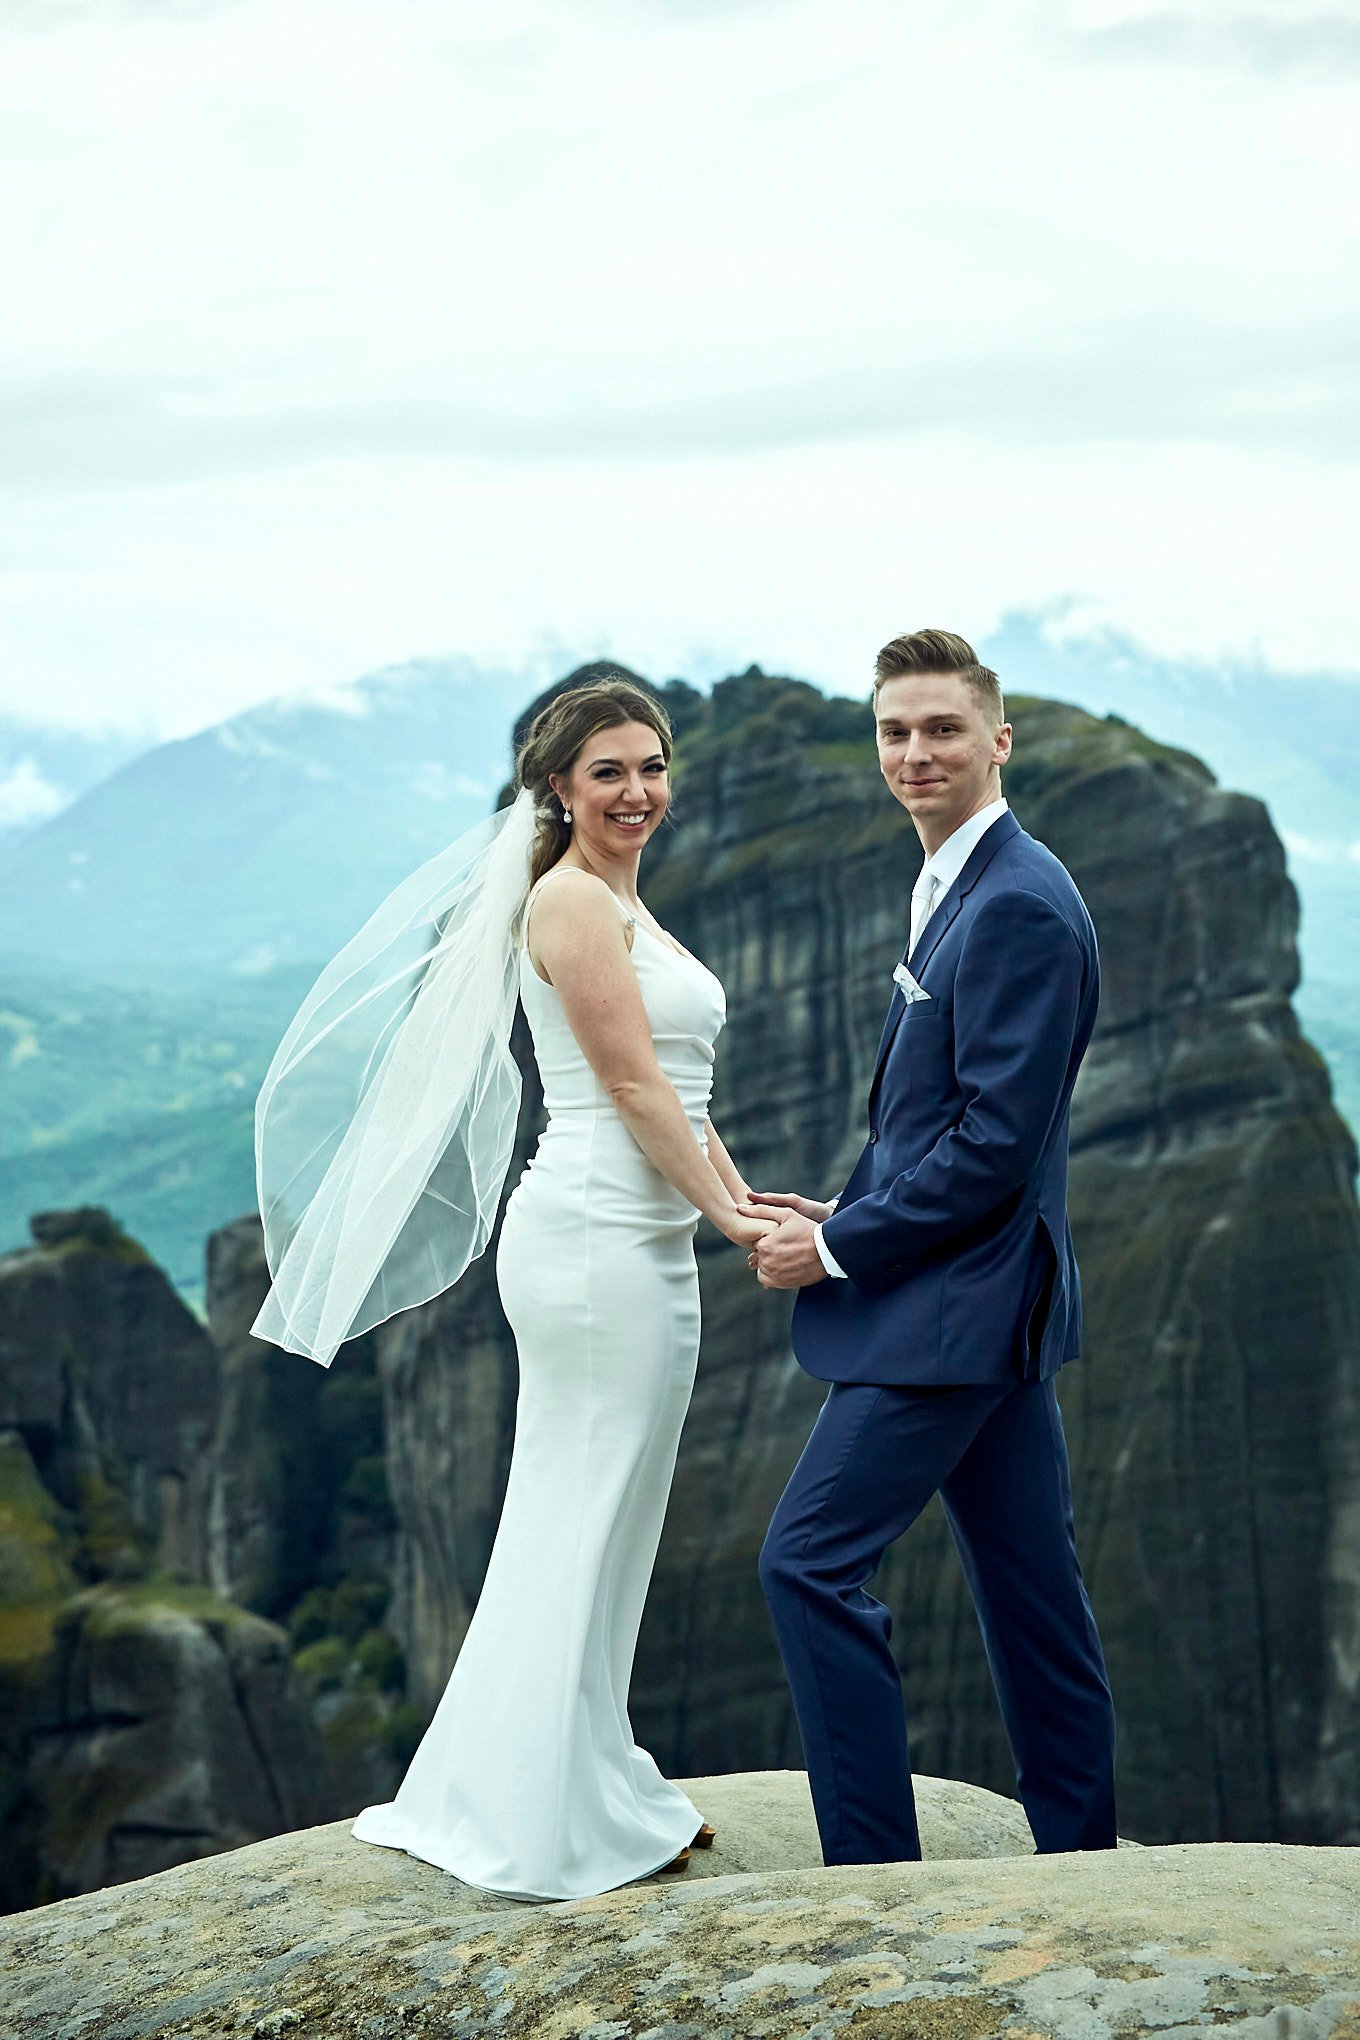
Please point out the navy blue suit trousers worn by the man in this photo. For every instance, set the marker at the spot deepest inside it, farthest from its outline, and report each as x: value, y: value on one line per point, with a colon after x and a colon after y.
x: 998, y: 1460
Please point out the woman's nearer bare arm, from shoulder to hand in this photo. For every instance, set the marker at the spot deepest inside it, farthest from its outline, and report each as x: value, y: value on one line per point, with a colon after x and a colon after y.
x: 578, y: 939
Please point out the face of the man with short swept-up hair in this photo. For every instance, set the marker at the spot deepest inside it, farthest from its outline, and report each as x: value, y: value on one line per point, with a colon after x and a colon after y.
x: 939, y: 752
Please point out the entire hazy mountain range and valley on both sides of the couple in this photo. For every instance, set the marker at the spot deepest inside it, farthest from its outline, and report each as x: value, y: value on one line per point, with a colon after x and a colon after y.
x: 160, y: 931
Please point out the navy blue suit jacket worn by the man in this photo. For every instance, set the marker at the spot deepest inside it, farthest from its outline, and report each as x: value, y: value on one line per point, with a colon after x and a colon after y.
x: 953, y: 1227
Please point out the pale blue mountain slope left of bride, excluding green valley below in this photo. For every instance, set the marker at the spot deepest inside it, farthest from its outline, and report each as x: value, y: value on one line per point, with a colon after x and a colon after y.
x: 268, y: 837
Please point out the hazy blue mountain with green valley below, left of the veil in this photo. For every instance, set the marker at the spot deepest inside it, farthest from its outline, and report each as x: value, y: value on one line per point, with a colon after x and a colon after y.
x: 160, y: 933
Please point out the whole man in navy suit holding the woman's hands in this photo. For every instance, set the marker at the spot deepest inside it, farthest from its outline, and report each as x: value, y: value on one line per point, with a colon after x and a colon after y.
x: 939, y: 1296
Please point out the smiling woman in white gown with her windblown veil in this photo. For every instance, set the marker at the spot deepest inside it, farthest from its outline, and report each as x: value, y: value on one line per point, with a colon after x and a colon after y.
x: 529, y: 1782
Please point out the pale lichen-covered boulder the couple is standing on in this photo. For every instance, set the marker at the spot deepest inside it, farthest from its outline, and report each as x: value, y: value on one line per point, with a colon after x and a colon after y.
x: 319, y: 1935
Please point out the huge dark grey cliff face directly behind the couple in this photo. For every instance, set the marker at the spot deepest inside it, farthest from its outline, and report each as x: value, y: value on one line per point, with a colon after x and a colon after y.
x: 1216, y: 1225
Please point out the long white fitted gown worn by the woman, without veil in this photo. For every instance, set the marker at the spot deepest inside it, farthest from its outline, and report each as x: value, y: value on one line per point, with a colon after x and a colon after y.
x: 529, y: 1782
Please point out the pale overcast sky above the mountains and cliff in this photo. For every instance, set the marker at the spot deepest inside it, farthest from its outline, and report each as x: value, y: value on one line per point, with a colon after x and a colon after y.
x: 694, y: 331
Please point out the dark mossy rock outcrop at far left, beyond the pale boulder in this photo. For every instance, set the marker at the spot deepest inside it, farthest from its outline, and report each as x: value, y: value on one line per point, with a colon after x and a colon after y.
x: 144, y: 1719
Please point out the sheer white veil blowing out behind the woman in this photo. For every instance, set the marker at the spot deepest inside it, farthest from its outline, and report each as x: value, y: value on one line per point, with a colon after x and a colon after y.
x: 386, y: 1121
